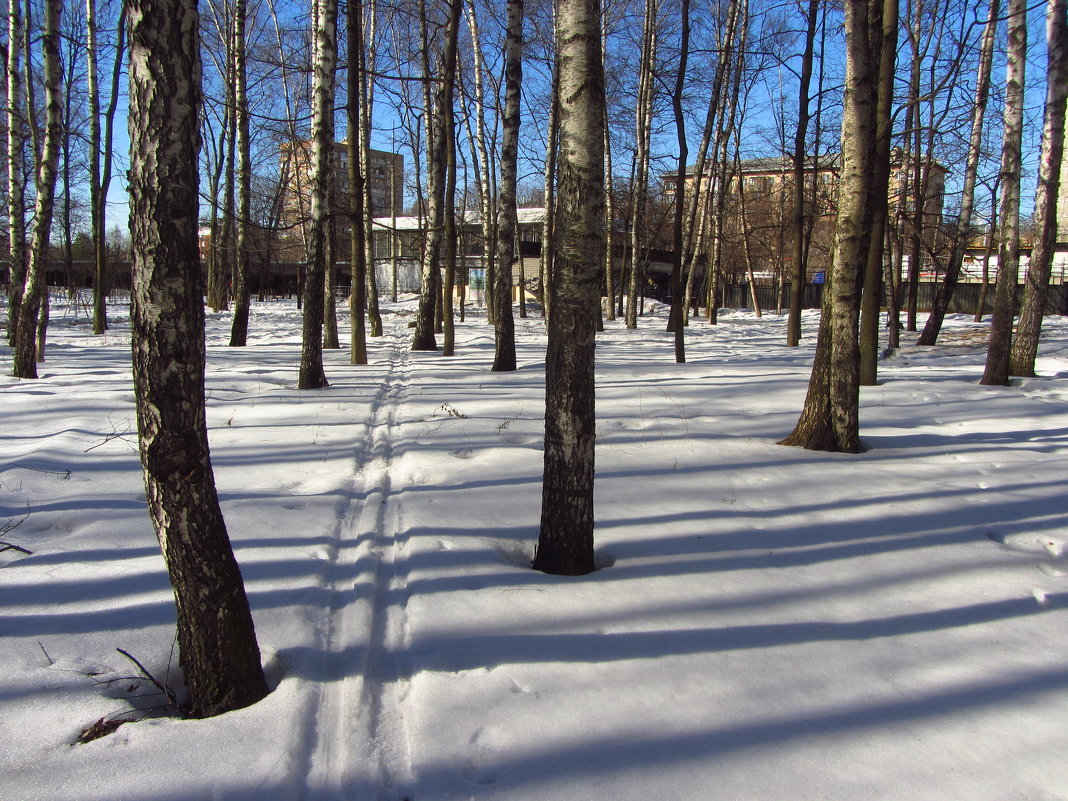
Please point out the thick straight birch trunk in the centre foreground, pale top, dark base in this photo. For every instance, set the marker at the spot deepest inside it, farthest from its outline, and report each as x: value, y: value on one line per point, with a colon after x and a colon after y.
x: 567, y: 539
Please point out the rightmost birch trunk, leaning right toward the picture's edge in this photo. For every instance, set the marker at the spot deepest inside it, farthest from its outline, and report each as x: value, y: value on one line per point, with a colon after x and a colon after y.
x: 1026, y: 347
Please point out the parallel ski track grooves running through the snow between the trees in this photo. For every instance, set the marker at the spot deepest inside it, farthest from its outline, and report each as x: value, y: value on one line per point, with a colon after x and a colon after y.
x: 362, y: 749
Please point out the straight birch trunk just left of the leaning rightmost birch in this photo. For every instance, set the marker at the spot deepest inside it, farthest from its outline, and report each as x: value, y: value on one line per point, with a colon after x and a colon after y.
x: 996, y: 373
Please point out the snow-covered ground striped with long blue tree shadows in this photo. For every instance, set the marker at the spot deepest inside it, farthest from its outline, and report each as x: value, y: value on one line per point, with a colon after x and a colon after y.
x: 768, y: 623
